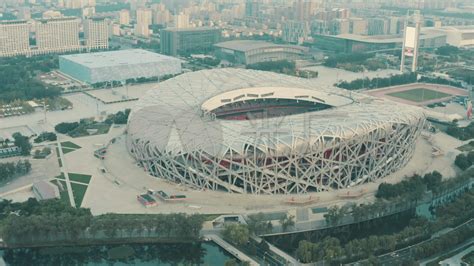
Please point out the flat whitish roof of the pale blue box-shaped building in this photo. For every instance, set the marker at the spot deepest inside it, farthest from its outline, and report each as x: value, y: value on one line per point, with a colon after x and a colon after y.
x: 116, y: 58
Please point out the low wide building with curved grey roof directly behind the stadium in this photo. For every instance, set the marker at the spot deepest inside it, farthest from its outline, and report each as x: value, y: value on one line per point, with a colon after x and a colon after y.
x: 251, y: 52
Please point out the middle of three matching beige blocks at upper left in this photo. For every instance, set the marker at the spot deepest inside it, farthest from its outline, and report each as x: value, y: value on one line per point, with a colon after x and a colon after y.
x: 57, y: 35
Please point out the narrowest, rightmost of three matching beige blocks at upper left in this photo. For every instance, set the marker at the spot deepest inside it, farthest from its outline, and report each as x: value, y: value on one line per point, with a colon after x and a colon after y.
x: 96, y: 33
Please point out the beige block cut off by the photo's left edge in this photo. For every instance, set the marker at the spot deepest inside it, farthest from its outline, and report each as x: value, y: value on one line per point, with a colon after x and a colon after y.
x: 14, y: 38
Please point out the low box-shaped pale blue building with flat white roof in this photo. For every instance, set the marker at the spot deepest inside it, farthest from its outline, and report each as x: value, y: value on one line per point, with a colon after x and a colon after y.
x: 118, y: 65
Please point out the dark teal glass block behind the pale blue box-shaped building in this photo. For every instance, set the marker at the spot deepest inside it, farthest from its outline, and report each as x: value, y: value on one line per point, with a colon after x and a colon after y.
x: 182, y: 41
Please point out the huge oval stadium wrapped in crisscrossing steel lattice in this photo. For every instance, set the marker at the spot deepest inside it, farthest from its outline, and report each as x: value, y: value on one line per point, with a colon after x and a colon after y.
x: 247, y: 131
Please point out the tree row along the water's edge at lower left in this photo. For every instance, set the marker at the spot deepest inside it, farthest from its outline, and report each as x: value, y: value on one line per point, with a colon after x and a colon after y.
x: 54, y: 221
